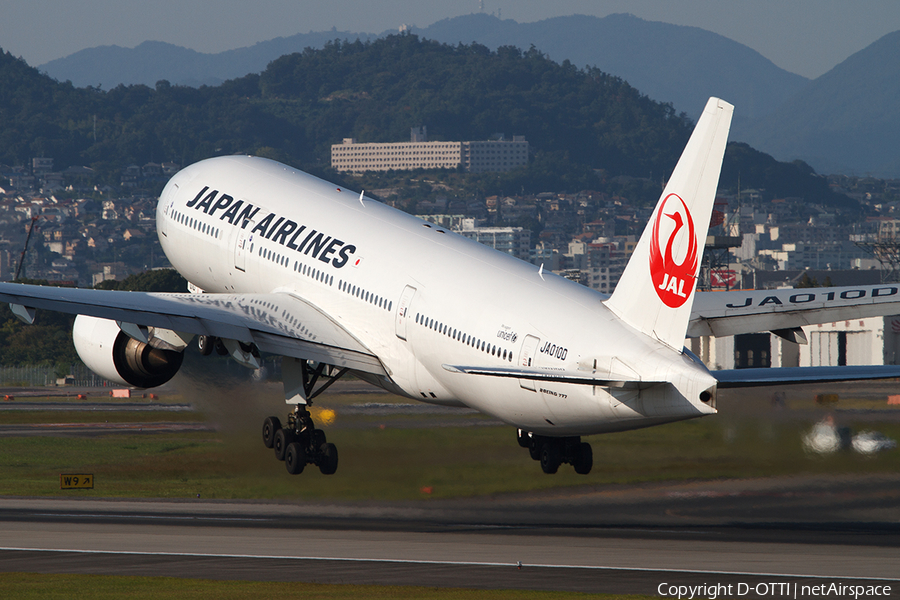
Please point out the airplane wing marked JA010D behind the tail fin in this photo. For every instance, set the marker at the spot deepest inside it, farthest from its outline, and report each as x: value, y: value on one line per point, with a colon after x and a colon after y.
x: 729, y: 313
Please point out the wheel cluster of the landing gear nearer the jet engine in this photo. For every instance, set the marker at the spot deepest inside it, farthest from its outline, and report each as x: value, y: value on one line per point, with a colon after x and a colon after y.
x: 300, y: 443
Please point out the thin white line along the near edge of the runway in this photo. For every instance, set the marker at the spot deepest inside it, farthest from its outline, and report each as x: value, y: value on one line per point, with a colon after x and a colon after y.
x: 444, y: 562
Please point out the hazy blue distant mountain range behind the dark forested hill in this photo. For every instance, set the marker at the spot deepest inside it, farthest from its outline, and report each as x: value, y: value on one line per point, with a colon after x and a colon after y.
x: 841, y: 122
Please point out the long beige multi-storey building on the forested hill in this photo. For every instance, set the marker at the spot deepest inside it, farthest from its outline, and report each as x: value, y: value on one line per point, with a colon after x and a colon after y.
x: 419, y: 153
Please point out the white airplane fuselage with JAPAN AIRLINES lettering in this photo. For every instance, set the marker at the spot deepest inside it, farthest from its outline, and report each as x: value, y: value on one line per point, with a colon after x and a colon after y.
x: 420, y: 297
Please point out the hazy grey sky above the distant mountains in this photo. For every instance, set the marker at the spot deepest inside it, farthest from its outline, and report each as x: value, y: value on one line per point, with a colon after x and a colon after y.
x: 807, y: 37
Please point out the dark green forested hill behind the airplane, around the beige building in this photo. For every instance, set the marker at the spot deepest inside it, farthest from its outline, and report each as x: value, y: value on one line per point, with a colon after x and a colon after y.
x: 580, y: 123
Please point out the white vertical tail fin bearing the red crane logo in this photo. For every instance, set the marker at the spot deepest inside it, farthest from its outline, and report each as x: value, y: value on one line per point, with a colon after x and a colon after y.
x: 656, y: 290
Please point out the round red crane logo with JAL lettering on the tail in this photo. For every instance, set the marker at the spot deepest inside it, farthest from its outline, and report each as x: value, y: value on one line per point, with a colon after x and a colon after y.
x: 674, y: 282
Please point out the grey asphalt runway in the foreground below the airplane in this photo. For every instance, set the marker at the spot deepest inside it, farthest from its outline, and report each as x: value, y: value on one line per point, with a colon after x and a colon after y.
x: 613, y: 540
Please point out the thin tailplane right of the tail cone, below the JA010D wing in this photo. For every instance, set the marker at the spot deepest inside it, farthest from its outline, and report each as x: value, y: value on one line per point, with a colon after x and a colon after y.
x: 738, y: 378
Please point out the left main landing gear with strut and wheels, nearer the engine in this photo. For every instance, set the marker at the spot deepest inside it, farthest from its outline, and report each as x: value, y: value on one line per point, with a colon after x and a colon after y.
x: 299, y: 442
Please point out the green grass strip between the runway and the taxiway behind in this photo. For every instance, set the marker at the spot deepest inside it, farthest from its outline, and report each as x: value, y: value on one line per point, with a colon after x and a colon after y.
x: 397, y: 457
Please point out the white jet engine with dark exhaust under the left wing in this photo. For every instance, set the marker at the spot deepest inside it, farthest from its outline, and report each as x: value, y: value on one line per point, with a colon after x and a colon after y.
x: 111, y: 353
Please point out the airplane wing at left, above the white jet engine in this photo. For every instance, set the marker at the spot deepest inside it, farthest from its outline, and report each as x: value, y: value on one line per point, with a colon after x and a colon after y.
x: 279, y: 323
